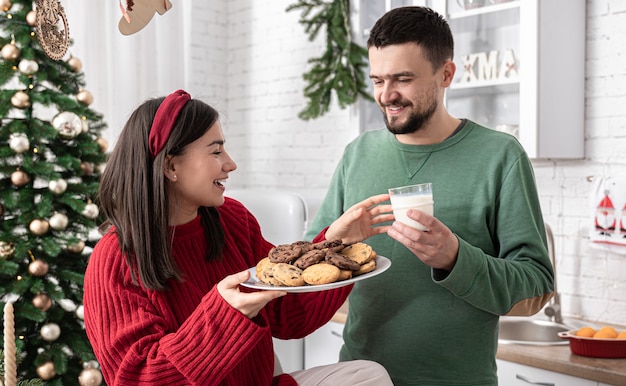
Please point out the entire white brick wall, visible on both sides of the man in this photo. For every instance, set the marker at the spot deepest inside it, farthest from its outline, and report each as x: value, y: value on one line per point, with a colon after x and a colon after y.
x: 267, y: 55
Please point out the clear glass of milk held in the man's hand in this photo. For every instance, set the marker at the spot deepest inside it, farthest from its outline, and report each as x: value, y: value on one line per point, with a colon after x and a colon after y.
x: 418, y: 197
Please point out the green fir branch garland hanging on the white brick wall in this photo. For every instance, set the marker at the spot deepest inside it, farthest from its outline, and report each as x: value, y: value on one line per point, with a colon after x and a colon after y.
x: 341, y: 68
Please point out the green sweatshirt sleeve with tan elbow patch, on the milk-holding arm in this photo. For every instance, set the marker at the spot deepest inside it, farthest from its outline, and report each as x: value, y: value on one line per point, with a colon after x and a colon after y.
x: 519, y: 281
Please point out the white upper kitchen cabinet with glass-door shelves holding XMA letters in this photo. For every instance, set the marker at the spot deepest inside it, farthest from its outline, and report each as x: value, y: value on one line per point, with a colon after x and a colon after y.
x: 521, y: 67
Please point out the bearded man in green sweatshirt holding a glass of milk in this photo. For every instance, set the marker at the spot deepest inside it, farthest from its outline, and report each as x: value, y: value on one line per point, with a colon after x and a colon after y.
x: 432, y: 318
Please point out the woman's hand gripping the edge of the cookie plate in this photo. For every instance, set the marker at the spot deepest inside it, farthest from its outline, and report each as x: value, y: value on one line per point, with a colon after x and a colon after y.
x: 248, y: 303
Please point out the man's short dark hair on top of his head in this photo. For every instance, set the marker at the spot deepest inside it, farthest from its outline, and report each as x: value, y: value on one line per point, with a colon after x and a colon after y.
x: 419, y: 25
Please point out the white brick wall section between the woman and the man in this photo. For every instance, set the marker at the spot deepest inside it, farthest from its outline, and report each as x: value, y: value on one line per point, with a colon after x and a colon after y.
x: 268, y: 53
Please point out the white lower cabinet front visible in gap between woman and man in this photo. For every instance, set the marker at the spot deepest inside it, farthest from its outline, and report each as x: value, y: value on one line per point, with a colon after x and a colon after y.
x: 322, y: 347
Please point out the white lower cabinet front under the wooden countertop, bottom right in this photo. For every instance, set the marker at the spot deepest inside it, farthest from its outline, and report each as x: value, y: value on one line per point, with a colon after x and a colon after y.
x: 515, y: 374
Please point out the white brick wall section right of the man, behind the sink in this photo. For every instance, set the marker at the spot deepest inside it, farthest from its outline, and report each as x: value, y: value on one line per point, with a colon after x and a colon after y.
x: 591, y: 282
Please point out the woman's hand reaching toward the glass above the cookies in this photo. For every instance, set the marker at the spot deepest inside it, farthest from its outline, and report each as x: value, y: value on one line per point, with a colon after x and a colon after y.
x: 361, y: 220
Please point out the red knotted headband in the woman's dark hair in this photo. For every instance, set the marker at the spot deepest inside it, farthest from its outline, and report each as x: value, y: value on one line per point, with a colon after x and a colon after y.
x: 164, y: 120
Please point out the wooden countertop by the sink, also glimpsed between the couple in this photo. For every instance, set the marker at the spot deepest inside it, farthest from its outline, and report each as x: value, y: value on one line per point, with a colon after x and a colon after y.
x: 552, y: 358
